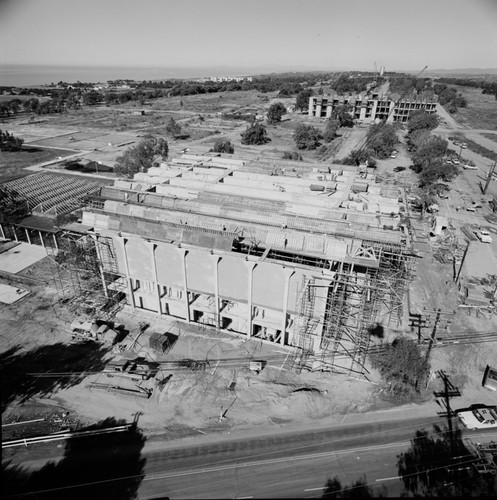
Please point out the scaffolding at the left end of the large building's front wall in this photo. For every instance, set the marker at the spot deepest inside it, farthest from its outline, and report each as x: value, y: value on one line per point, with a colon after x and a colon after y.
x: 85, y: 275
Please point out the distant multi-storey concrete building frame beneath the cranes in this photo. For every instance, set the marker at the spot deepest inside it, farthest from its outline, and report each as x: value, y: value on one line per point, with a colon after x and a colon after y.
x: 372, y: 108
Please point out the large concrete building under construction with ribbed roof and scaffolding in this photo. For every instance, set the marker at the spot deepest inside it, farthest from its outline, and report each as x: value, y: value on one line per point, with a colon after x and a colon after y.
x: 313, y: 260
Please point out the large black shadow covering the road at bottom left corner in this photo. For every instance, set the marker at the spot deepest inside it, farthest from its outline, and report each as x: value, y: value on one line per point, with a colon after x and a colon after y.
x: 105, y: 466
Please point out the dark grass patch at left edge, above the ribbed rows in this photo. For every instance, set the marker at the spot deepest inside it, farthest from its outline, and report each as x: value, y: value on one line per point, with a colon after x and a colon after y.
x: 12, y: 163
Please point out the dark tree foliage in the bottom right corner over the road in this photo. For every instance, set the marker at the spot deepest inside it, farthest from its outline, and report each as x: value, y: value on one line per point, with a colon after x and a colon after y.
x: 439, y: 463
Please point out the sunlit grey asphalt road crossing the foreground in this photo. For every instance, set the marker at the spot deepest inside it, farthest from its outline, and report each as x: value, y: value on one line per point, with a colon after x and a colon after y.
x: 279, y: 464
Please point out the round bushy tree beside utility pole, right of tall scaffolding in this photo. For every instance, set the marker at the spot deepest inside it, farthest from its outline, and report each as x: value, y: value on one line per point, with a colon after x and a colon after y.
x: 402, y: 366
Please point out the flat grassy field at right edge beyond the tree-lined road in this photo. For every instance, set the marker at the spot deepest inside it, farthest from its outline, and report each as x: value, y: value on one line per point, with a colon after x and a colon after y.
x: 481, y: 112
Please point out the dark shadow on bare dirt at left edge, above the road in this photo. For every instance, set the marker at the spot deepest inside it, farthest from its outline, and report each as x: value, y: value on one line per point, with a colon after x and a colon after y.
x: 46, y: 369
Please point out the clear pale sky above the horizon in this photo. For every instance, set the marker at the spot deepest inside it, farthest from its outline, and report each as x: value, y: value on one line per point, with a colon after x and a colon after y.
x: 326, y: 34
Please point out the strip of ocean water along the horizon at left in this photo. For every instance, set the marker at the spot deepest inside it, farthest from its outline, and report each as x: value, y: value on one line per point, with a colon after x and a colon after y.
x: 25, y: 76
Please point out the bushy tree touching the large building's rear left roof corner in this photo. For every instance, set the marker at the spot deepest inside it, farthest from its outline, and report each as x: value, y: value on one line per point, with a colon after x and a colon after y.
x: 141, y: 157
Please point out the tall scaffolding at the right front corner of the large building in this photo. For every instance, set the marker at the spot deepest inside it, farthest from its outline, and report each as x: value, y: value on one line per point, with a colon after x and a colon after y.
x: 358, y: 299
